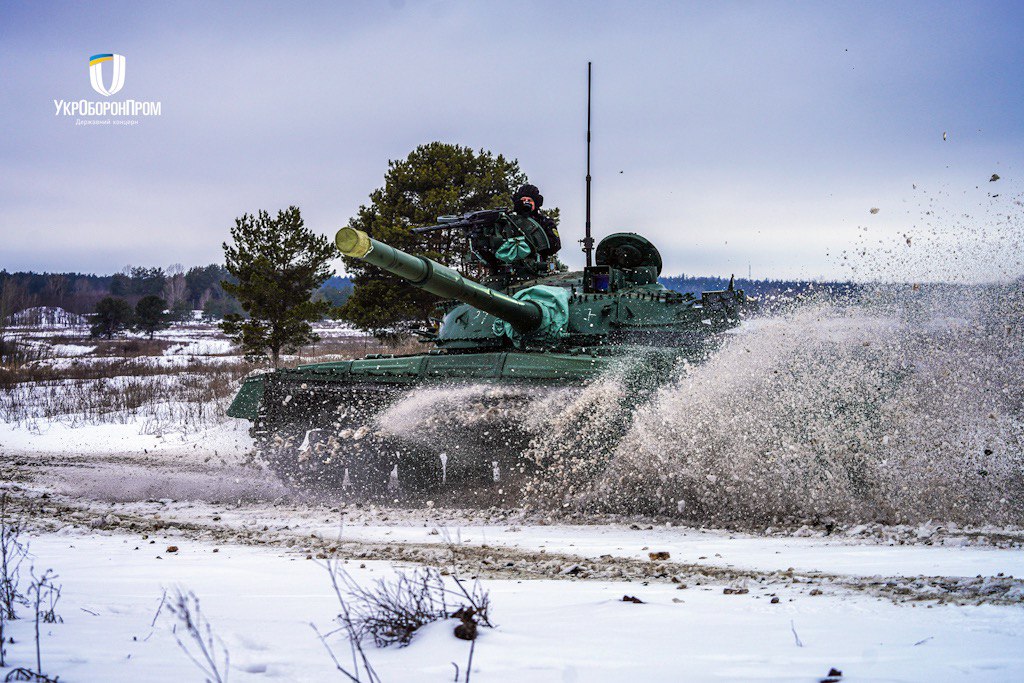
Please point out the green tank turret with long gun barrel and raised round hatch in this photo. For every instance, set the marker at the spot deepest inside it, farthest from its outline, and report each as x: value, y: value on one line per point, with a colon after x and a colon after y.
x: 615, y: 303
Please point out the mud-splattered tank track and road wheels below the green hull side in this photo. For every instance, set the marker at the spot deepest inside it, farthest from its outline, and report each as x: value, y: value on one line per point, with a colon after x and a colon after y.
x: 328, y: 438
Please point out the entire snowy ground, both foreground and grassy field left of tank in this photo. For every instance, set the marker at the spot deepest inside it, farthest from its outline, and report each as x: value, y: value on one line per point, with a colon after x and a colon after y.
x: 106, y: 496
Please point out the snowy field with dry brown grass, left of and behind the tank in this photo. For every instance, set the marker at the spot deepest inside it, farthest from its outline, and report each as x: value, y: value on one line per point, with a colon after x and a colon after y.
x: 133, y: 380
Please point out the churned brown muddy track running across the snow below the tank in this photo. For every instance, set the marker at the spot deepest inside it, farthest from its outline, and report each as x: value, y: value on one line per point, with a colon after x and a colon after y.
x: 220, y: 516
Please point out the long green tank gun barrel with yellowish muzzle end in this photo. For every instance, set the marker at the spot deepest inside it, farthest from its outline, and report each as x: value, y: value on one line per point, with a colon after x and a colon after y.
x: 524, y: 316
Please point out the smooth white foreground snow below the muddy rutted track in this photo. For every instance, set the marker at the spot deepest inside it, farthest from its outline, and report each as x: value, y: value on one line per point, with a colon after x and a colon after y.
x: 261, y: 603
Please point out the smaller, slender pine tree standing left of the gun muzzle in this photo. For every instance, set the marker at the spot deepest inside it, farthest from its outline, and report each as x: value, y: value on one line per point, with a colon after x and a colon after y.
x: 279, y: 264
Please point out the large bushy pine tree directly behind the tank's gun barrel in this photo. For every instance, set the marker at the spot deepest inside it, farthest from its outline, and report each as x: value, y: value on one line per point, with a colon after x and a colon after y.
x: 436, y: 180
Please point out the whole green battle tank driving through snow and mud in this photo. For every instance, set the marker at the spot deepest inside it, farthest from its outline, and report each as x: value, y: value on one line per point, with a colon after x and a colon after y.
x: 527, y: 323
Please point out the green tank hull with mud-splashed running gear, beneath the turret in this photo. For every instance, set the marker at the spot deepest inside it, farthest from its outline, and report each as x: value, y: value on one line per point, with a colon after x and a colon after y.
x: 319, y: 426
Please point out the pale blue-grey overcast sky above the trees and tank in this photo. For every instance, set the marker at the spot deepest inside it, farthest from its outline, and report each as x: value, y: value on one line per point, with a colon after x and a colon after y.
x: 735, y: 136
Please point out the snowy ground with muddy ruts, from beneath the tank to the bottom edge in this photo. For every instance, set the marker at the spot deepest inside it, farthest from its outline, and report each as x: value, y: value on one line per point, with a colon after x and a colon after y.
x: 877, y: 605
